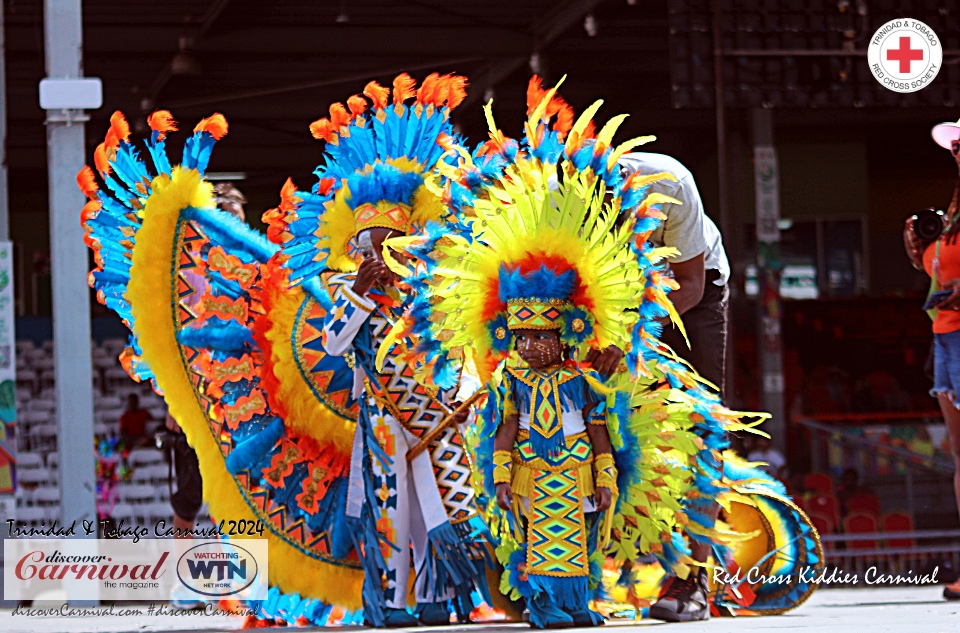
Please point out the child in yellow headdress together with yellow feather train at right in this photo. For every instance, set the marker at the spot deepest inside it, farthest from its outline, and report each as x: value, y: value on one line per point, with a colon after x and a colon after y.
x: 542, y: 248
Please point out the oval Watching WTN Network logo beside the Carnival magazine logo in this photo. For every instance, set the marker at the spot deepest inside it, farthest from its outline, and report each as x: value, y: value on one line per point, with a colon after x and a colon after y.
x: 217, y: 569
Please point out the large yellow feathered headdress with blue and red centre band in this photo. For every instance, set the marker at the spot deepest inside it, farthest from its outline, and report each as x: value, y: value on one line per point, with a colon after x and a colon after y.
x: 541, y: 251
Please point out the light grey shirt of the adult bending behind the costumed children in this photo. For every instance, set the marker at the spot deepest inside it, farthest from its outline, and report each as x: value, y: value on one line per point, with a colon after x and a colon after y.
x: 687, y: 228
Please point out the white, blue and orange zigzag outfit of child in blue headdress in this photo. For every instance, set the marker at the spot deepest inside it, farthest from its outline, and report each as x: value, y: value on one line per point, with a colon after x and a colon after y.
x: 423, y: 504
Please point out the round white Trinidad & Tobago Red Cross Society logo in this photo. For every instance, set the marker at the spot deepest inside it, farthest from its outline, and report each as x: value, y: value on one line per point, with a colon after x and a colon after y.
x: 905, y: 55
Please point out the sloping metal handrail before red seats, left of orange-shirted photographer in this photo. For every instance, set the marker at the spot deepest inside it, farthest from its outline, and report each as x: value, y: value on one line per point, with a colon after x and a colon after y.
x: 911, y: 462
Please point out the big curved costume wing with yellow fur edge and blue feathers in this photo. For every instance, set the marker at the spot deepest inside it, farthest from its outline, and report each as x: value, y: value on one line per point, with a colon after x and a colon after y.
x: 235, y: 354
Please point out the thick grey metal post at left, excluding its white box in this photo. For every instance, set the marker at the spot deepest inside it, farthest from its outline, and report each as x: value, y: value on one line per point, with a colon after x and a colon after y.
x: 71, y: 298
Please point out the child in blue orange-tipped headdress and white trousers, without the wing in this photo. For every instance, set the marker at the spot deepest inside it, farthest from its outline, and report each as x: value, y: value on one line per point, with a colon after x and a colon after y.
x: 383, y: 161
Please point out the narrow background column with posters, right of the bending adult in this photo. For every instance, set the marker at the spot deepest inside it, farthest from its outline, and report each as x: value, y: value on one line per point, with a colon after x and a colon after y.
x: 769, y: 267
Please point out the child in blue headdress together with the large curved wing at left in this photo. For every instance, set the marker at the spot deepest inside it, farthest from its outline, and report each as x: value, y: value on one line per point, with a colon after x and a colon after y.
x: 228, y: 324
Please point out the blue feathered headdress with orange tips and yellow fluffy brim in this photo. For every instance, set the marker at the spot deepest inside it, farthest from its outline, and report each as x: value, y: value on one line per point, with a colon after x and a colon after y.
x: 376, y: 172
